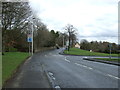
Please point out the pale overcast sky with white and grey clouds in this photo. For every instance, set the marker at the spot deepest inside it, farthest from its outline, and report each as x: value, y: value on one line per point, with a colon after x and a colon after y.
x: 94, y: 19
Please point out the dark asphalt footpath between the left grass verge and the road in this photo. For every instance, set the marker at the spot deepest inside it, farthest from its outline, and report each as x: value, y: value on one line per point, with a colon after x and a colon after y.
x: 30, y: 75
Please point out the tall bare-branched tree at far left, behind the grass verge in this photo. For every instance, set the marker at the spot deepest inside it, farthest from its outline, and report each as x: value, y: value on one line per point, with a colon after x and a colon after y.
x: 14, y: 17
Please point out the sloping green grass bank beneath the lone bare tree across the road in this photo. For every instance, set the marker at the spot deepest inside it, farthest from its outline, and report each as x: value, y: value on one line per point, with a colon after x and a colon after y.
x: 76, y: 51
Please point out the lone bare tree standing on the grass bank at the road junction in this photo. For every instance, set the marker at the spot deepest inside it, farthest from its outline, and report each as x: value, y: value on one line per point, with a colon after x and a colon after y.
x: 71, y: 34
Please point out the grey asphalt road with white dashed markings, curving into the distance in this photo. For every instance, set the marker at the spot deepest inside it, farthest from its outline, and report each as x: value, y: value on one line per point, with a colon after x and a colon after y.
x: 73, y: 71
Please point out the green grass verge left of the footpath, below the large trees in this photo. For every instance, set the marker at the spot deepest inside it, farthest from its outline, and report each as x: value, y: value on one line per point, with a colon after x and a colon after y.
x: 10, y: 62
